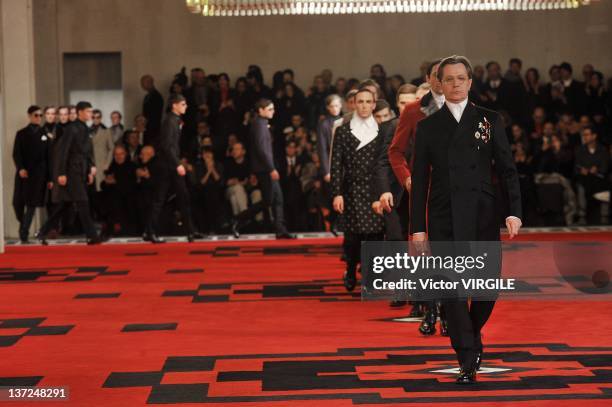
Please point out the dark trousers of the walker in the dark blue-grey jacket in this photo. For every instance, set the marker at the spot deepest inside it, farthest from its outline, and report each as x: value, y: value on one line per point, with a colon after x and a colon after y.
x: 271, y: 197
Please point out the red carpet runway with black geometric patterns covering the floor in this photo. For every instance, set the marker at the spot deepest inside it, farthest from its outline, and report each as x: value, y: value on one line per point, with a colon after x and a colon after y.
x: 268, y: 323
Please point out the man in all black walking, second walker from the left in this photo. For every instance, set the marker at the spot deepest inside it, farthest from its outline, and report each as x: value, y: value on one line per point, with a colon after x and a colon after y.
x: 169, y: 156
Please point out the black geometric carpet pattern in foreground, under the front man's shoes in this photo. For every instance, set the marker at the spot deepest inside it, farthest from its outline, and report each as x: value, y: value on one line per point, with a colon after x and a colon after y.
x: 510, y: 372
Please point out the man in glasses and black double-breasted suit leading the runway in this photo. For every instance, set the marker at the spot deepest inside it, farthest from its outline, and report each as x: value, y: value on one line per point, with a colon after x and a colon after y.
x: 453, y: 198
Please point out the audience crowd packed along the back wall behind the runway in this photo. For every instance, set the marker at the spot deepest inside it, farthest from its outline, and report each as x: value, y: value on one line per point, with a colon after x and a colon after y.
x: 232, y: 134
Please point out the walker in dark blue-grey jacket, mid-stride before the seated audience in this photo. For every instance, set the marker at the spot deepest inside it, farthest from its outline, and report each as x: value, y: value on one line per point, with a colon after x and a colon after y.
x: 262, y: 165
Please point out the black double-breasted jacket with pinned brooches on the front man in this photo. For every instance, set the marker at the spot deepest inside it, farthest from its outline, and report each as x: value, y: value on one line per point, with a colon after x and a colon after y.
x: 461, y: 204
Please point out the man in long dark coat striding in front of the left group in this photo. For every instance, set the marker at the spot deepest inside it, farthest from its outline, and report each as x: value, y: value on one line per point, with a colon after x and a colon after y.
x: 76, y: 170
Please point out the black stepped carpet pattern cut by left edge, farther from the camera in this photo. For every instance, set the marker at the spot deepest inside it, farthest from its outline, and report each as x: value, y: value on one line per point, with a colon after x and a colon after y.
x: 57, y: 274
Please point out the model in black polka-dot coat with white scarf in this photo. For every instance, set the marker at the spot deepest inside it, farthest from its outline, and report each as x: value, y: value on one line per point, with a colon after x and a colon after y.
x: 353, y: 159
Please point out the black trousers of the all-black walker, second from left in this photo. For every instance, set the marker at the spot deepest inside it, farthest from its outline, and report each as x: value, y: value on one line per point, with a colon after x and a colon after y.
x: 176, y: 183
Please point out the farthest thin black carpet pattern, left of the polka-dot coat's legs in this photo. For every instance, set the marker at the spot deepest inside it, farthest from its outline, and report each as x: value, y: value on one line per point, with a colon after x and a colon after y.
x: 303, y: 250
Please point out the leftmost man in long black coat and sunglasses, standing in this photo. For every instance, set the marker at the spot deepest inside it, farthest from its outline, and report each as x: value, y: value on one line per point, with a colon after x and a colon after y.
x: 31, y: 157
